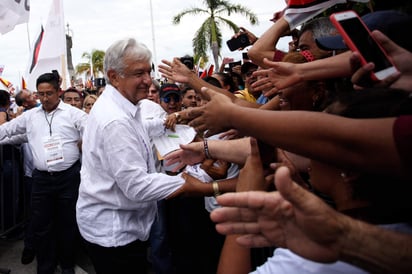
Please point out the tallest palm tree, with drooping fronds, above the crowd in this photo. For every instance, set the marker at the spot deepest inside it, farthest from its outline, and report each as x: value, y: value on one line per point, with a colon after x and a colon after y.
x: 209, y: 35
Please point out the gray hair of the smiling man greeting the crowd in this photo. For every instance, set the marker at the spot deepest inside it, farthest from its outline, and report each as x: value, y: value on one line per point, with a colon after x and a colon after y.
x: 128, y: 47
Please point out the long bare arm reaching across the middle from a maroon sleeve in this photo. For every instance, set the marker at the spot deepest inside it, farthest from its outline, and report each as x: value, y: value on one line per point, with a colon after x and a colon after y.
x: 356, y: 144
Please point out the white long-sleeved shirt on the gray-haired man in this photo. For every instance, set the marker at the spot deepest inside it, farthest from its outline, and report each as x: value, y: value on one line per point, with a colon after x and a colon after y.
x: 119, y: 187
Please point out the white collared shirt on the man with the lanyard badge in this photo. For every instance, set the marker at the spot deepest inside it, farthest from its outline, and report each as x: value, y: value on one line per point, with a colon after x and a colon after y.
x: 65, y: 121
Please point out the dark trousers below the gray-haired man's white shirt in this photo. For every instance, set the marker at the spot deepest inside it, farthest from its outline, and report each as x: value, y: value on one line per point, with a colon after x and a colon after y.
x: 131, y: 258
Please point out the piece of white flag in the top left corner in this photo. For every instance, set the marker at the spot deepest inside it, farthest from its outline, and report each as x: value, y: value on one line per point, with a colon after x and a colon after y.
x: 12, y: 13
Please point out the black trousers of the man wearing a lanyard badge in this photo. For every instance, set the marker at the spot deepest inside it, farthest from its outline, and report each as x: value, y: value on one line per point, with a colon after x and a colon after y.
x: 54, y: 197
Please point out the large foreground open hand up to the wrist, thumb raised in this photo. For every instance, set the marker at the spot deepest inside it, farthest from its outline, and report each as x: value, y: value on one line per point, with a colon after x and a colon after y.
x: 291, y: 217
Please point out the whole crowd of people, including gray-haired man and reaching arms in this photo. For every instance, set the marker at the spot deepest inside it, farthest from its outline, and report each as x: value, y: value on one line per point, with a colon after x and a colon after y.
x: 300, y: 164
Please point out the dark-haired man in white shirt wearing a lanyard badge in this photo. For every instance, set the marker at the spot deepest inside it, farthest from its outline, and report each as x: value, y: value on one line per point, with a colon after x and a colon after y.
x: 53, y: 132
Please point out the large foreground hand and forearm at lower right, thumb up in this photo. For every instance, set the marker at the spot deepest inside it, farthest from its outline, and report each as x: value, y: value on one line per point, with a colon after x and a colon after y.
x: 296, y: 219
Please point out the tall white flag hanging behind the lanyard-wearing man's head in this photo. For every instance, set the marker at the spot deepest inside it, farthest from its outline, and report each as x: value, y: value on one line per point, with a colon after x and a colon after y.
x: 49, y: 52
